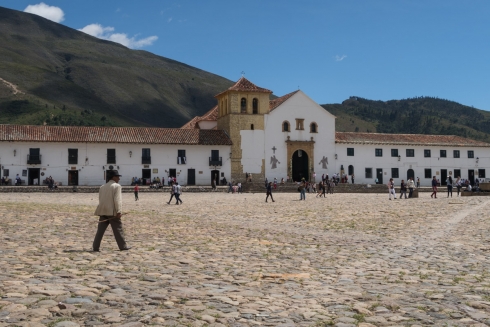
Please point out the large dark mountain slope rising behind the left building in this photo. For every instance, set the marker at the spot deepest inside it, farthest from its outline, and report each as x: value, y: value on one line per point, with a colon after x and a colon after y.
x: 55, y: 66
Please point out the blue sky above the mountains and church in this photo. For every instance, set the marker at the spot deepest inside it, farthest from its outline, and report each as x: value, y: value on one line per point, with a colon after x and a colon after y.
x: 376, y: 49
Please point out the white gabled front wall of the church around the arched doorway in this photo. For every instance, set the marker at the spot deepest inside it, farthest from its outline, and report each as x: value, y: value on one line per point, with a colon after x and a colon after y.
x: 302, y: 107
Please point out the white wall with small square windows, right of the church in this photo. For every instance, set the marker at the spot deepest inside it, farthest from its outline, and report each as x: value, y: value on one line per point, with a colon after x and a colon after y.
x: 364, y: 157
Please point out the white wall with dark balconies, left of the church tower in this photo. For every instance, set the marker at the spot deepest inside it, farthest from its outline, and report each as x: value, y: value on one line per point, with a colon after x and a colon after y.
x: 92, y: 161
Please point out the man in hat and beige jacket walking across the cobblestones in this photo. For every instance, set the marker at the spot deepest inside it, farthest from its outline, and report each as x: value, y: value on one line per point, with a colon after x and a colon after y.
x: 110, y: 211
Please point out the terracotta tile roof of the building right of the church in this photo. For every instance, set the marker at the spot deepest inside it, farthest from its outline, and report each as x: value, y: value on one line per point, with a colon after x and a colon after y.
x: 406, y: 139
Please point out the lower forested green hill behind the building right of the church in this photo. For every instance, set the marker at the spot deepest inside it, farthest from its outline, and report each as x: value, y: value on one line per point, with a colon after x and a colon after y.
x: 423, y: 115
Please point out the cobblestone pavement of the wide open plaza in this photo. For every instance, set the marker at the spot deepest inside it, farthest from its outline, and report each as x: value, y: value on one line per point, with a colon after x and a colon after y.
x: 234, y: 260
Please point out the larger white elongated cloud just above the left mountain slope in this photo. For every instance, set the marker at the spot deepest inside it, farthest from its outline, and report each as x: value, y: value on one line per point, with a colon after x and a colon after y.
x: 106, y: 33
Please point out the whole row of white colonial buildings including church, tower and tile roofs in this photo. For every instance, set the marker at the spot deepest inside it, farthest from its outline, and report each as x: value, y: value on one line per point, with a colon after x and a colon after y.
x: 245, y: 133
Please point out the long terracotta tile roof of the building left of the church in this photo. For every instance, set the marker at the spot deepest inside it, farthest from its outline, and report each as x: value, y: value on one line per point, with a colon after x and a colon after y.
x: 139, y: 135
